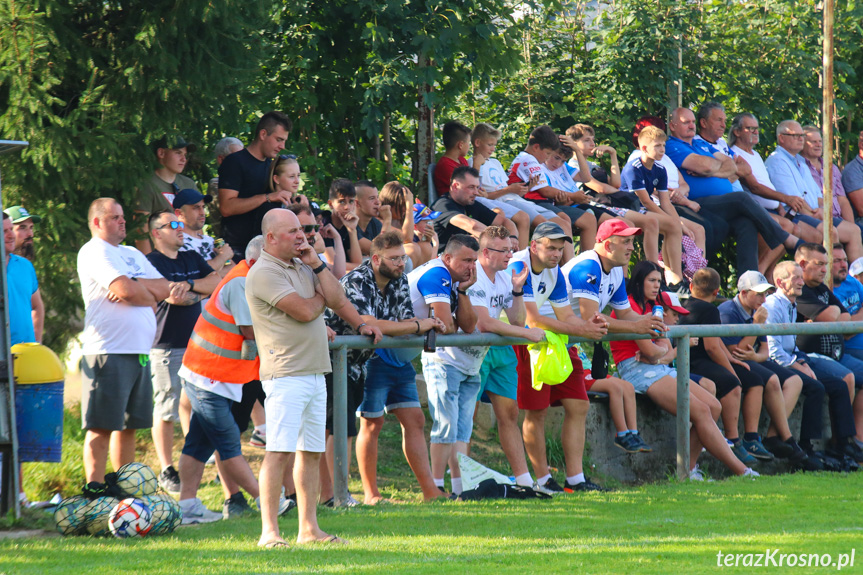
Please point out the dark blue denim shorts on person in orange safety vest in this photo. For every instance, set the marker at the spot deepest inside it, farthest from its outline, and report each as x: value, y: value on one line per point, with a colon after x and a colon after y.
x: 212, y: 427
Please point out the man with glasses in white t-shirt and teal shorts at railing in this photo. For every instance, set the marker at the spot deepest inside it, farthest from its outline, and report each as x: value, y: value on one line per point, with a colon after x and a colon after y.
x: 497, y: 290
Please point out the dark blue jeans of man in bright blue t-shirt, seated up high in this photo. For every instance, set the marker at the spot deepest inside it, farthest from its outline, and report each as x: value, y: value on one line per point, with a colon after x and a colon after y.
x: 747, y: 218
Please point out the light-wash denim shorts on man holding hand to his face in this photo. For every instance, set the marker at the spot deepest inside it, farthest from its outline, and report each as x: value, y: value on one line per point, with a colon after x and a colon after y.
x: 452, y: 400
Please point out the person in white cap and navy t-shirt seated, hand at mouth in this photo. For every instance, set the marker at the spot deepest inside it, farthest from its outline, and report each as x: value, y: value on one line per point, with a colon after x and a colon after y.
x: 782, y: 385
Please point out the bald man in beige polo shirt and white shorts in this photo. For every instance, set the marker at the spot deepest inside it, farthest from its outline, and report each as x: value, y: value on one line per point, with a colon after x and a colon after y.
x: 287, y: 290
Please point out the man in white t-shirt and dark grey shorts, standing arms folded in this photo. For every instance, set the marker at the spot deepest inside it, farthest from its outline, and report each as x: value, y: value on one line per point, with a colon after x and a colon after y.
x: 121, y: 289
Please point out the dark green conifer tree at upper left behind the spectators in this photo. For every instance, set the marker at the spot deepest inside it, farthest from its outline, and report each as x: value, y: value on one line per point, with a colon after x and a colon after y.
x: 89, y: 84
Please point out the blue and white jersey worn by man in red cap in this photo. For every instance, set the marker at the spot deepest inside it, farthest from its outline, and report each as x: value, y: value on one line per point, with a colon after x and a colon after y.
x: 585, y: 278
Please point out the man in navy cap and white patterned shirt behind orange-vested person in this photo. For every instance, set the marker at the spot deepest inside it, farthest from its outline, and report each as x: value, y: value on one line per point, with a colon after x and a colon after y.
x: 189, y: 208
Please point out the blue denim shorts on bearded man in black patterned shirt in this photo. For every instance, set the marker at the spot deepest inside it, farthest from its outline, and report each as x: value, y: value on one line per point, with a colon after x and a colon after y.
x: 387, y: 388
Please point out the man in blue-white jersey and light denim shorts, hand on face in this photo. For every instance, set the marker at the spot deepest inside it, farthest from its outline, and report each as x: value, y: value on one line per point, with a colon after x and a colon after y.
x: 452, y: 378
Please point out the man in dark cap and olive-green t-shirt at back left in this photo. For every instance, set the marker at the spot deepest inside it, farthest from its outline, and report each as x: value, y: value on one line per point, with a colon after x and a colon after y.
x: 156, y: 193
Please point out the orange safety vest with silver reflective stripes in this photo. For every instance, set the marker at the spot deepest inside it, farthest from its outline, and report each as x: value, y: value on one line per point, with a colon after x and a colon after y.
x: 214, y: 351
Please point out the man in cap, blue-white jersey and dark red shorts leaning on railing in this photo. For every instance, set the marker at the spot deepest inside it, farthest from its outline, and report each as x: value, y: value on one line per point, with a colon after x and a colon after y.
x: 546, y: 283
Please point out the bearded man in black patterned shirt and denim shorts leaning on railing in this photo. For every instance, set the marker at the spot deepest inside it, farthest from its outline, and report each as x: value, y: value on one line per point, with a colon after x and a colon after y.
x: 384, y: 380
